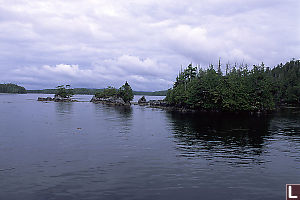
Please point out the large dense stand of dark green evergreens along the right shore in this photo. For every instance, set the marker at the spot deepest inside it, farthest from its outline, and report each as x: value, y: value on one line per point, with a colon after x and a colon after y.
x: 238, y: 89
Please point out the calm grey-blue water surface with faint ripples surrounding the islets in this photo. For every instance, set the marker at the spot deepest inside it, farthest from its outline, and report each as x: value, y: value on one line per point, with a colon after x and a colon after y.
x: 81, y: 150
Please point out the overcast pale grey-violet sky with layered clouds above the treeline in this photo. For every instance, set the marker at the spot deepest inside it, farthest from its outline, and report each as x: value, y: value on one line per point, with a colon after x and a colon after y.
x: 97, y: 43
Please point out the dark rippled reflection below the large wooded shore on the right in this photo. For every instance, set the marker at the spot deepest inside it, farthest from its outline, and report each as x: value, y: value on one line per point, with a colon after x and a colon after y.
x: 240, y: 139
